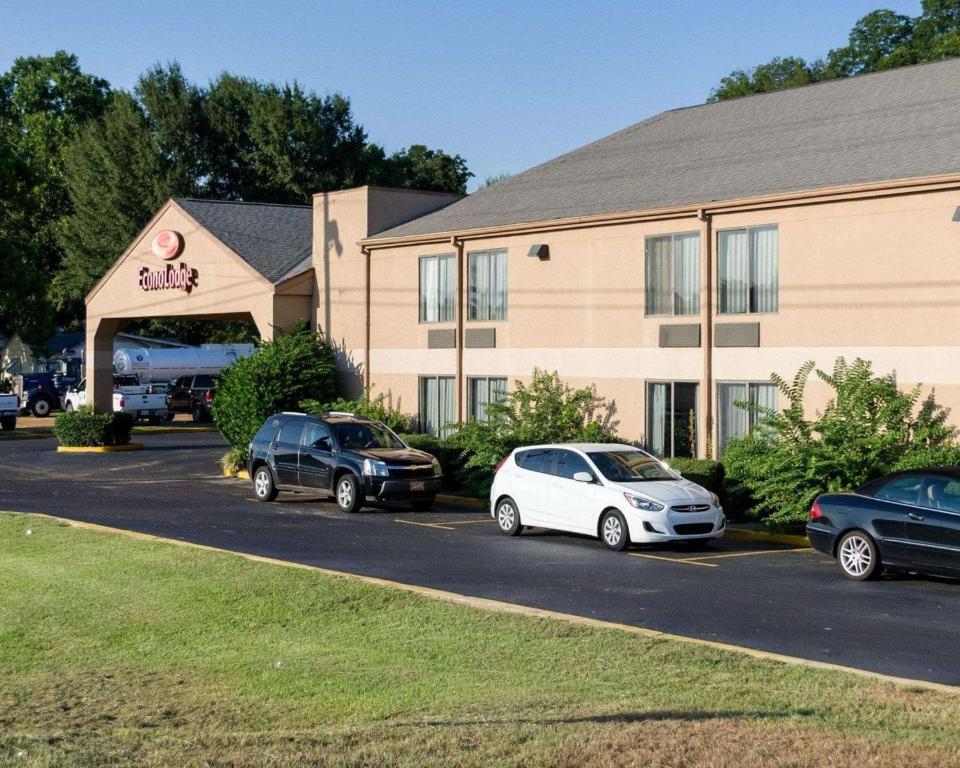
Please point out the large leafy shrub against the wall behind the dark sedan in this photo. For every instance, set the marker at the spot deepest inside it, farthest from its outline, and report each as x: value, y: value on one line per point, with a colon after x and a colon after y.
x: 868, y: 428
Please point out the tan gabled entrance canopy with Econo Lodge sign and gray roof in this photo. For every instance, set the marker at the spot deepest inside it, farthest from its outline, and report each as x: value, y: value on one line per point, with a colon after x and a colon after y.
x: 204, y: 259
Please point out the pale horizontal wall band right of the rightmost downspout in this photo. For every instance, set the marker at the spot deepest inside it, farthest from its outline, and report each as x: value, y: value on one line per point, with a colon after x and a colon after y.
x: 913, y: 365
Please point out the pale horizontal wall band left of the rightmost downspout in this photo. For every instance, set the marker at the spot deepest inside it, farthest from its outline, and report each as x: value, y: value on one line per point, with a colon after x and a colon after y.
x: 586, y: 363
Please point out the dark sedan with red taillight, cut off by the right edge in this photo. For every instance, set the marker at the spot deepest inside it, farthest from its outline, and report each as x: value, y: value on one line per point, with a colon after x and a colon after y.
x: 908, y: 521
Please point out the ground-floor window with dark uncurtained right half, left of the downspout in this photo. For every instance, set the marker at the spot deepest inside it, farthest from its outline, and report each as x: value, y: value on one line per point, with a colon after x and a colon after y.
x: 672, y: 418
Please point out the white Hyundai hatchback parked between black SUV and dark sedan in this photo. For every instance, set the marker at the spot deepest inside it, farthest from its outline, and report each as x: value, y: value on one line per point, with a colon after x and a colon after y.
x: 616, y: 492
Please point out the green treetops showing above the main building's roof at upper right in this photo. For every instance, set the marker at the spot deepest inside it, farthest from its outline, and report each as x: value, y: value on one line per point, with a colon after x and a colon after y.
x: 880, y: 40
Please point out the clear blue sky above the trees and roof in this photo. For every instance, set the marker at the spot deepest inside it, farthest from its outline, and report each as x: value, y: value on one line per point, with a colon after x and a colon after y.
x: 505, y: 84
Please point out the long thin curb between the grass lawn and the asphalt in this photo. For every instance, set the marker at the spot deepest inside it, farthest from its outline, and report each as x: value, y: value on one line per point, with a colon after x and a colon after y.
x: 501, y: 606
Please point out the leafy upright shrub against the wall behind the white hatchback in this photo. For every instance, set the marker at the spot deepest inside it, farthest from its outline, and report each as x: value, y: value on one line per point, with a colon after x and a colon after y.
x: 544, y: 411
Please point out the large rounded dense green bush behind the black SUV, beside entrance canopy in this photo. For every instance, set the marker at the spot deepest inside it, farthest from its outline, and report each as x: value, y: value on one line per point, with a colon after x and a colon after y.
x: 296, y: 368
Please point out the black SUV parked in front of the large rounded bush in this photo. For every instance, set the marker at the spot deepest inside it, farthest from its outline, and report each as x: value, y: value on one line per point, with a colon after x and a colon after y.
x: 348, y: 456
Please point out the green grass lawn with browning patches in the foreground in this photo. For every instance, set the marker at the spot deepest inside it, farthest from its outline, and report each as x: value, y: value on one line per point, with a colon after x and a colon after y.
x: 115, y: 651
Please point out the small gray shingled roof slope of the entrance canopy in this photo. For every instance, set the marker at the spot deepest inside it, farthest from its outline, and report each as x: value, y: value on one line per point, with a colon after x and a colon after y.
x: 273, y: 239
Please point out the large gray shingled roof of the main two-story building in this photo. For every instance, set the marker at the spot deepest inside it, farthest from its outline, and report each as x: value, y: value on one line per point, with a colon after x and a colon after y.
x: 899, y: 124
